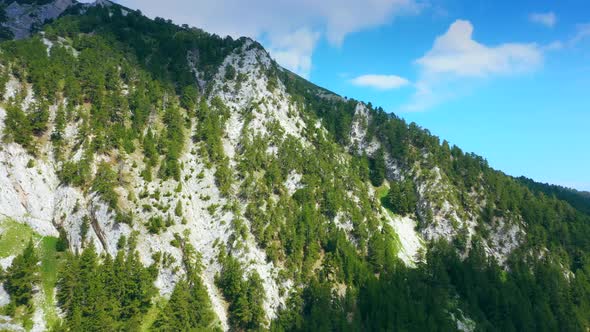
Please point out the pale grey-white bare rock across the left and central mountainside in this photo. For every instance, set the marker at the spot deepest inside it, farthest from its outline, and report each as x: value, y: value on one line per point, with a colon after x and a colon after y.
x: 30, y: 191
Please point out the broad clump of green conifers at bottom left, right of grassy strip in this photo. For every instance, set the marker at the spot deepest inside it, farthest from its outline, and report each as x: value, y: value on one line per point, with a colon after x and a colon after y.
x: 110, y: 294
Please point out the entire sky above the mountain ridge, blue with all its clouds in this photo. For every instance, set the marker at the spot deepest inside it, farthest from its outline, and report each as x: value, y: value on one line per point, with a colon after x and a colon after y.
x: 508, y: 80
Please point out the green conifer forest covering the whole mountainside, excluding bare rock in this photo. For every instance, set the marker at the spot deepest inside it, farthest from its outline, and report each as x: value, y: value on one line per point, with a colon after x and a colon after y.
x: 124, y: 82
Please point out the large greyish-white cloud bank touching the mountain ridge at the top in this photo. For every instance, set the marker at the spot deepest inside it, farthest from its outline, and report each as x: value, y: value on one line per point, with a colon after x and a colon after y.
x: 292, y: 27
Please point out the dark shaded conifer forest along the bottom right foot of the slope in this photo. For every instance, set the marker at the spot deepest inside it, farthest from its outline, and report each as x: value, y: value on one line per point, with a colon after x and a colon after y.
x: 422, y: 298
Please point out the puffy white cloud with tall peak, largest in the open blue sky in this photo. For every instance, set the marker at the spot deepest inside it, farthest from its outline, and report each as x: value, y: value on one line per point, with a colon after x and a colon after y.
x: 456, y: 61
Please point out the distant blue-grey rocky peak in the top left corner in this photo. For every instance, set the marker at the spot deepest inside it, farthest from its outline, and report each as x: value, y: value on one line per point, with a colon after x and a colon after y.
x: 22, y: 19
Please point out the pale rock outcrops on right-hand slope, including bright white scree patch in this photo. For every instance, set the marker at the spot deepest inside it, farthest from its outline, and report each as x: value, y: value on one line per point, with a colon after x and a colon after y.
x: 438, y: 203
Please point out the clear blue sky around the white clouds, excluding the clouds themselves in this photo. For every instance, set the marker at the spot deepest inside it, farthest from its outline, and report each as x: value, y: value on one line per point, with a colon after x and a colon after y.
x: 534, y: 122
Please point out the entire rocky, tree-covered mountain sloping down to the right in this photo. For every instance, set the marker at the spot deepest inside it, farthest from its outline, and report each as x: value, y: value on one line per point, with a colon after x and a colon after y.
x: 158, y: 177
